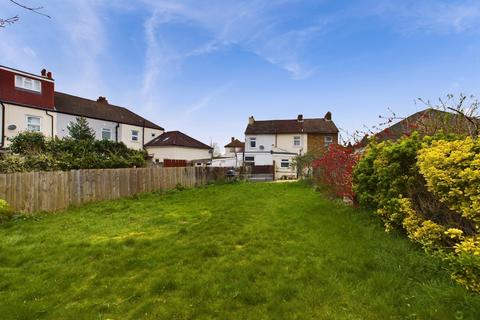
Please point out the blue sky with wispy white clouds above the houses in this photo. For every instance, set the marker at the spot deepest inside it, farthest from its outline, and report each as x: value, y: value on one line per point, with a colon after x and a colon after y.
x: 204, y: 66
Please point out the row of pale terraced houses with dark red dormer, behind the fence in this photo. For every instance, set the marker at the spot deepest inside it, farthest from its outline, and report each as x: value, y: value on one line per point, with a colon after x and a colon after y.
x: 30, y: 102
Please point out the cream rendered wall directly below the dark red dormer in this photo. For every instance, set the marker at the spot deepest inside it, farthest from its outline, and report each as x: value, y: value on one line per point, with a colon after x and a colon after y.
x: 17, y: 115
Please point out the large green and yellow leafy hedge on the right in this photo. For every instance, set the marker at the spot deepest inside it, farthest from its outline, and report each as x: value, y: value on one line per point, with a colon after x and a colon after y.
x: 429, y: 188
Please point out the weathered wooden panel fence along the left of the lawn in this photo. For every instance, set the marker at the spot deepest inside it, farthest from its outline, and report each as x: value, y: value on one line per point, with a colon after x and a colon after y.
x: 54, y: 191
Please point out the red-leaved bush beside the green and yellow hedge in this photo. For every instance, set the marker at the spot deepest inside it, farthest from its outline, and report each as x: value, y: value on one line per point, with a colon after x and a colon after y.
x: 336, y: 166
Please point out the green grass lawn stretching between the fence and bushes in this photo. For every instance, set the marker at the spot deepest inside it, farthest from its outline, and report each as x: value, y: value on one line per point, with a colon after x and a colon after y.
x: 241, y: 251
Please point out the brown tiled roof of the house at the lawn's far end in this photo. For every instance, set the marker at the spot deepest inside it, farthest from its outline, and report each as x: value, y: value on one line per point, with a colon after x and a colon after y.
x: 319, y: 125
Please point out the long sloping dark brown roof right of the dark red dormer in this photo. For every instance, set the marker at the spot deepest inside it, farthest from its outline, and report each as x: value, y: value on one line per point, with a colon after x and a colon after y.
x: 78, y: 106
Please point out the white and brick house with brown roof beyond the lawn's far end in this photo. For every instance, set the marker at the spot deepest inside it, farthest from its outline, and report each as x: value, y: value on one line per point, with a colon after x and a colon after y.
x: 276, y: 142
